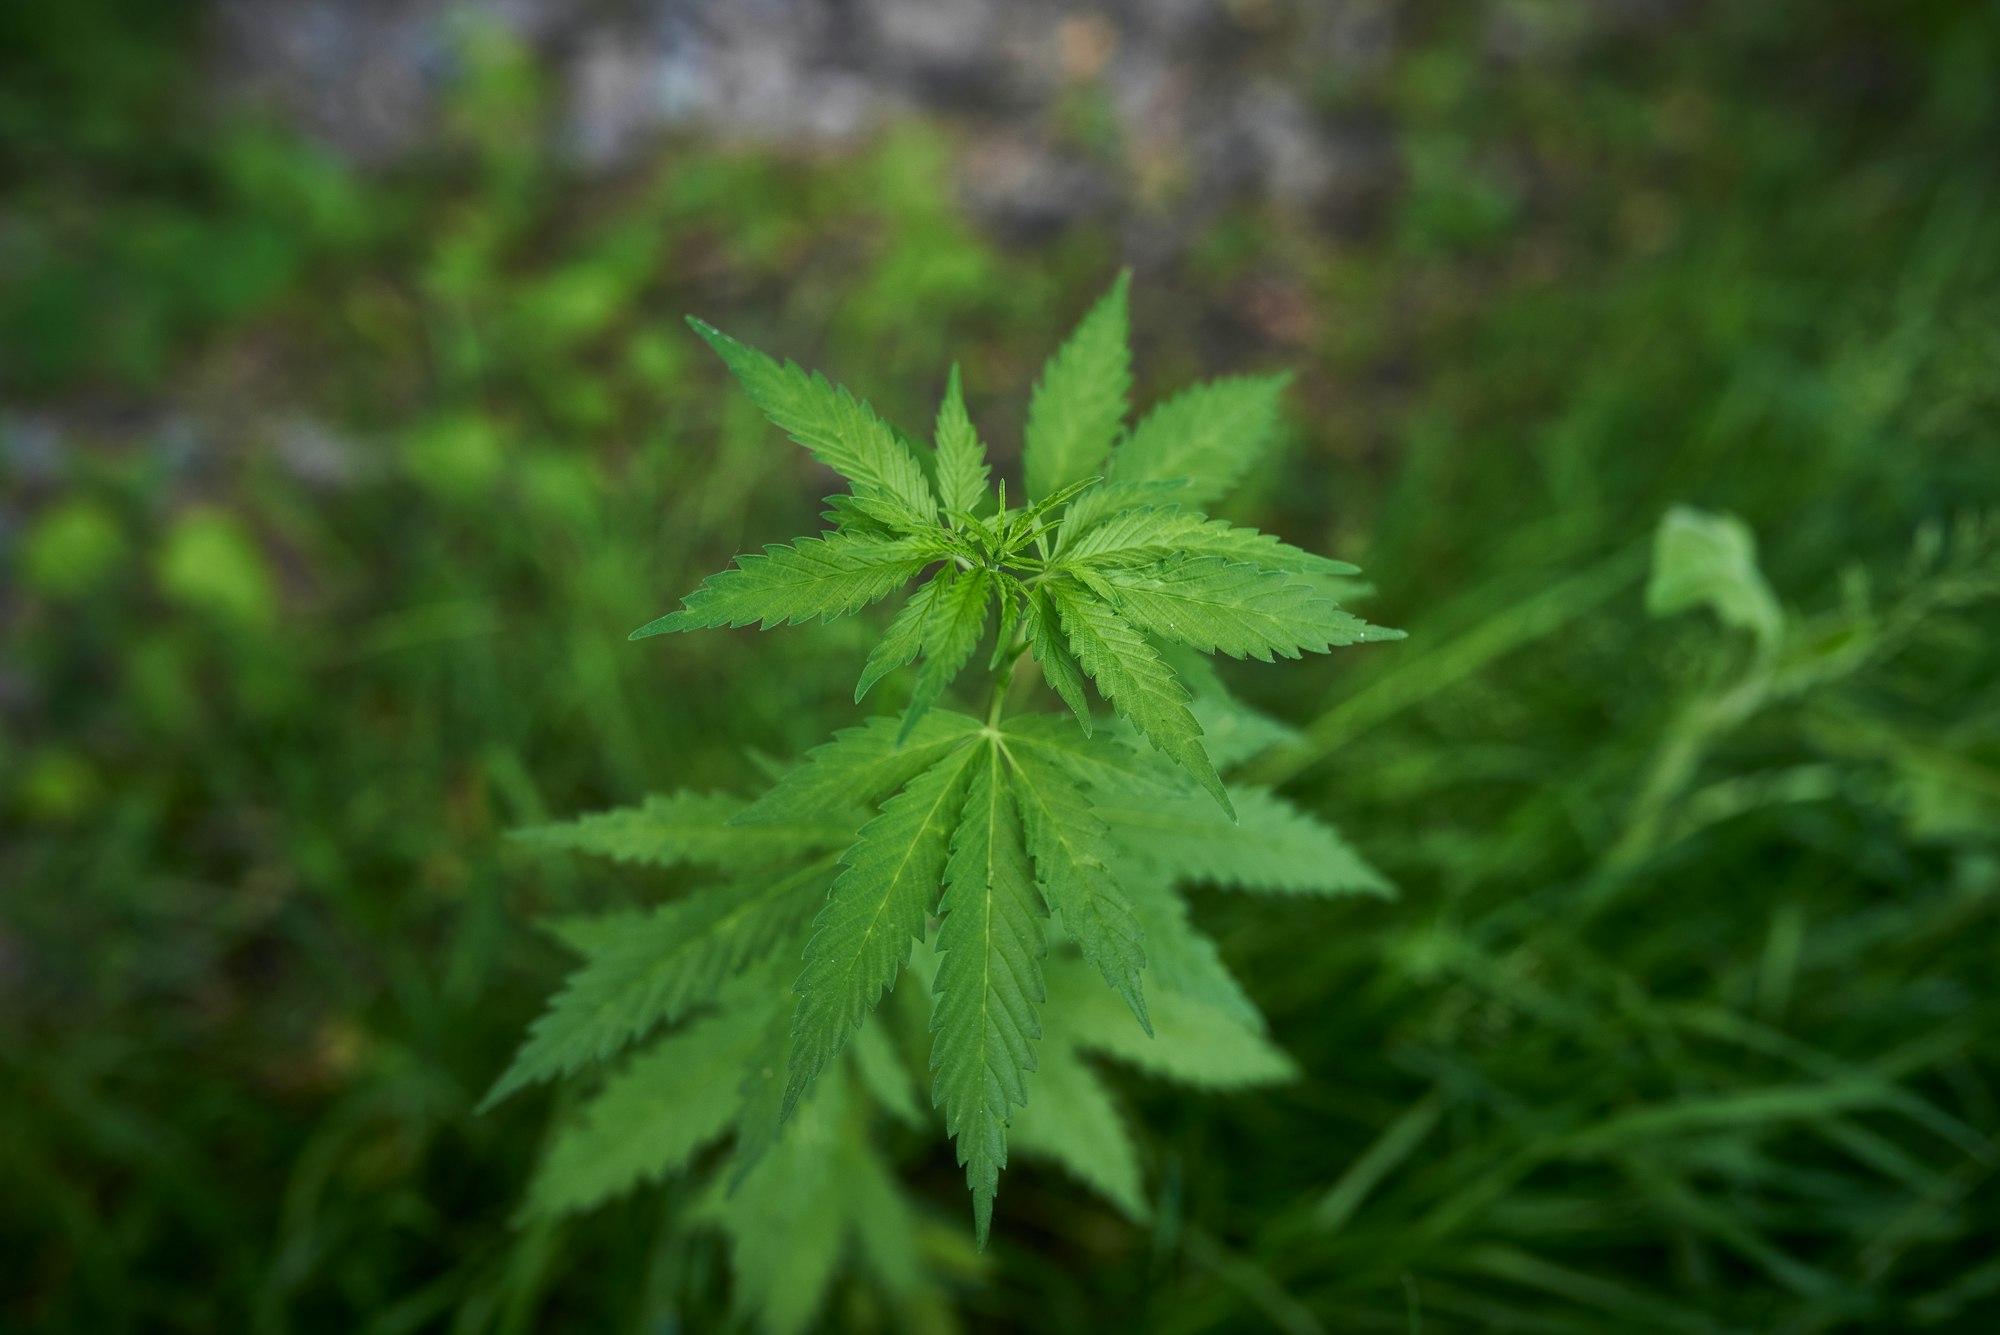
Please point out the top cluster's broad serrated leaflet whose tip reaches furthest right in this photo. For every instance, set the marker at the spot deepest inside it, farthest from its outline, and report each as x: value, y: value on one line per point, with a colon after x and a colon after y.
x: 1219, y: 607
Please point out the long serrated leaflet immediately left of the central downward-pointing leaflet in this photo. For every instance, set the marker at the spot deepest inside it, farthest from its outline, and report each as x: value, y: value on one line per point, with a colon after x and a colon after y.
x: 877, y: 910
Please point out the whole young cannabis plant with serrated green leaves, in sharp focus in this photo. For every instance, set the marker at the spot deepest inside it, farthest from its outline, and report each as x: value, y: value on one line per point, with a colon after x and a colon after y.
x: 979, y: 830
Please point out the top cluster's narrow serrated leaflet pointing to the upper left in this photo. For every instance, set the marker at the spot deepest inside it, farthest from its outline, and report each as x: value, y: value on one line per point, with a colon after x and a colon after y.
x: 841, y: 433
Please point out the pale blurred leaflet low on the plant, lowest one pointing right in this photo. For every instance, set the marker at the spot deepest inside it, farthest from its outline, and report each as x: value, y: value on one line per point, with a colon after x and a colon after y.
x: 1193, y: 1044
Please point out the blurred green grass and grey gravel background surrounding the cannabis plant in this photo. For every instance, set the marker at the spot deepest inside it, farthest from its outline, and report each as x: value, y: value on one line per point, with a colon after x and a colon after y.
x: 347, y: 427
